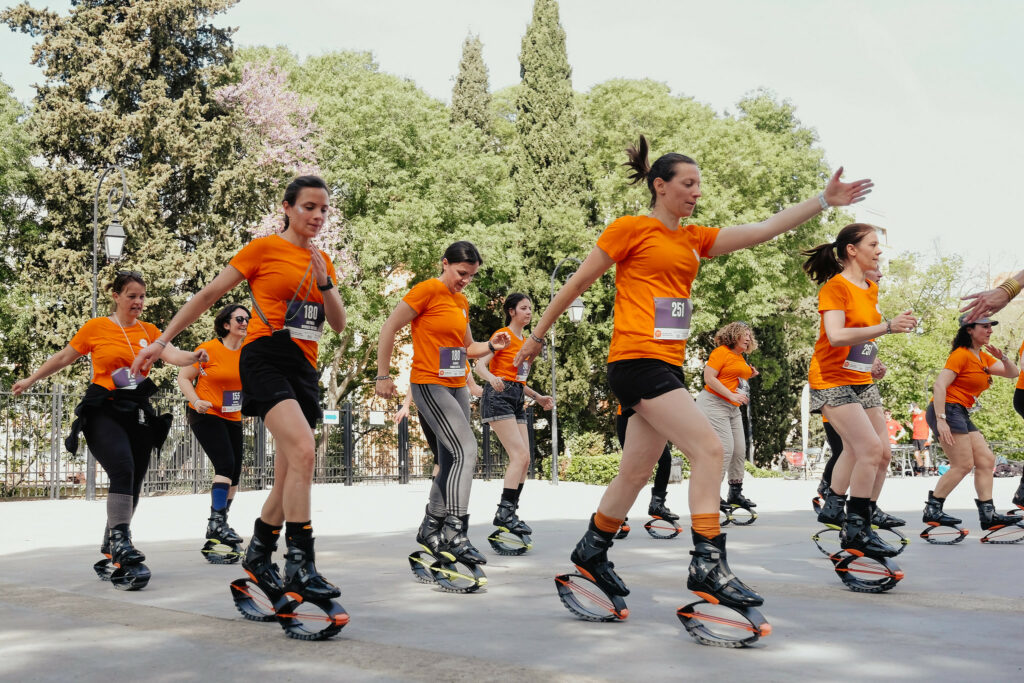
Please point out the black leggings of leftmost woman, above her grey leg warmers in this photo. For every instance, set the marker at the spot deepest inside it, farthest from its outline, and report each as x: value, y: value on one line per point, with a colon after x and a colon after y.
x: 122, y: 447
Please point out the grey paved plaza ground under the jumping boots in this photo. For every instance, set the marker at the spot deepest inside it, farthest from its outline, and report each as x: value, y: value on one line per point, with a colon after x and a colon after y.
x: 956, y: 617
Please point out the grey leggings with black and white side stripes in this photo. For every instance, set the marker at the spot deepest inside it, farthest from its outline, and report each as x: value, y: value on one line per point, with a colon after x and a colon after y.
x: 447, y: 413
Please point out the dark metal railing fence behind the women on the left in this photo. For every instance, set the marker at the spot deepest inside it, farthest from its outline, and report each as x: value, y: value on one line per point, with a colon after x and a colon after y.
x: 366, y: 447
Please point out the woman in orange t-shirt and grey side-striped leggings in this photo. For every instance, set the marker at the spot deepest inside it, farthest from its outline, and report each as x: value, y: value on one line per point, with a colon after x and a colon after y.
x: 439, y: 314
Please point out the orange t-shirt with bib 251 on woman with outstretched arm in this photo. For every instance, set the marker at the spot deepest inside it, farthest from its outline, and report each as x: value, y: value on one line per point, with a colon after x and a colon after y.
x: 655, y: 269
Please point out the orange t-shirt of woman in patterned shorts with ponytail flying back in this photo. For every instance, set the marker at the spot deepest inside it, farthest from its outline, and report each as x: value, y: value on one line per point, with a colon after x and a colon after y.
x: 843, y: 366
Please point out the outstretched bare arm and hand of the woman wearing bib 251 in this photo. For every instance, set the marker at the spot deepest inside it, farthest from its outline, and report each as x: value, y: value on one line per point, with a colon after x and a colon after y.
x: 837, y: 194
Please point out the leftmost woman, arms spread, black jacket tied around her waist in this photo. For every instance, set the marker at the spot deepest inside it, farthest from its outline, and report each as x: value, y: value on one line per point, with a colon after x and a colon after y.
x: 120, y: 424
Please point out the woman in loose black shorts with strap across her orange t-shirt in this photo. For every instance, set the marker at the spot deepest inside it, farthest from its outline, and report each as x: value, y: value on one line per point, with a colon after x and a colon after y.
x: 294, y: 294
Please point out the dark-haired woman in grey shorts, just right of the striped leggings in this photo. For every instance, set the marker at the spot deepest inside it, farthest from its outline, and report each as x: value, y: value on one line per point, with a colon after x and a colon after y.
x: 502, y: 408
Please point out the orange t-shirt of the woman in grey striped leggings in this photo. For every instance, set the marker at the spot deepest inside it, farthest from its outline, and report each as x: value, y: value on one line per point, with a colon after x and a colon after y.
x: 439, y: 334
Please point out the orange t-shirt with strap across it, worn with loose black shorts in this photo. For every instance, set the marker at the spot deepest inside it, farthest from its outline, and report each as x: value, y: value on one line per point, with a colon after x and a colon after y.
x: 279, y: 271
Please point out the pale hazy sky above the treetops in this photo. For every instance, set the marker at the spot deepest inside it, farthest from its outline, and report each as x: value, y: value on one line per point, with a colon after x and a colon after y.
x: 924, y: 97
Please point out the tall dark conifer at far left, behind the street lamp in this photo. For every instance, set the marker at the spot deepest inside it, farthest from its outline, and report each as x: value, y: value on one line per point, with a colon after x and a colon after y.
x: 132, y: 83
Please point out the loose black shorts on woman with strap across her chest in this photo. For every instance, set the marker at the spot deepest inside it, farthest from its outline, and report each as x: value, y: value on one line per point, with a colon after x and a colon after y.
x: 275, y: 369
